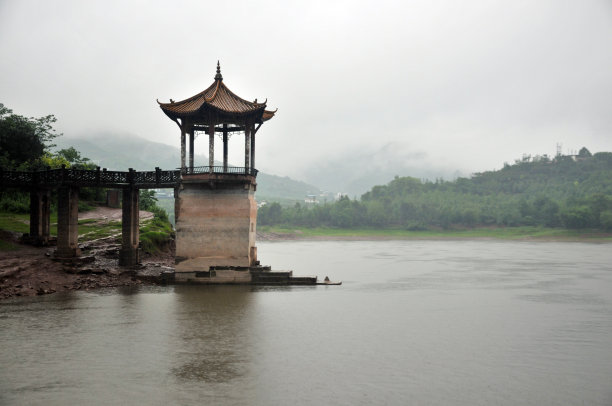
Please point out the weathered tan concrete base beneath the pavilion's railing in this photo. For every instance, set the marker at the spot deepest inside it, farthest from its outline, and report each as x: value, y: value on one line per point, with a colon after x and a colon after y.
x: 215, y: 227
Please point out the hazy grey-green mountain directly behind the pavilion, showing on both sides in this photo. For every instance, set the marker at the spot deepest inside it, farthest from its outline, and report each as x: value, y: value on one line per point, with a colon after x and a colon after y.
x: 123, y: 151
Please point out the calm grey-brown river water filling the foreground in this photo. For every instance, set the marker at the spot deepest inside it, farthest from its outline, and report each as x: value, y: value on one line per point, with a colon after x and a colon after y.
x: 415, y: 322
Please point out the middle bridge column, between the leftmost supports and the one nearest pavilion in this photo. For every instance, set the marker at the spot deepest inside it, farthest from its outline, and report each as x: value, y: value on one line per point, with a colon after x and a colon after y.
x: 67, y: 222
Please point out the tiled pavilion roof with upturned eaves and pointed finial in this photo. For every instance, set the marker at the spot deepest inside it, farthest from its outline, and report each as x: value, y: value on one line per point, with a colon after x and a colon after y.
x: 217, y: 104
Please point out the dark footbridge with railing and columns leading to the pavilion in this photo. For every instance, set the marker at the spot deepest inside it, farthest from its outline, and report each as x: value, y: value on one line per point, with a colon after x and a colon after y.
x: 67, y: 182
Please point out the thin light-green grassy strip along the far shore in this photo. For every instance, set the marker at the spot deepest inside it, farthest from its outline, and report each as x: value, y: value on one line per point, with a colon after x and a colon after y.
x: 504, y: 233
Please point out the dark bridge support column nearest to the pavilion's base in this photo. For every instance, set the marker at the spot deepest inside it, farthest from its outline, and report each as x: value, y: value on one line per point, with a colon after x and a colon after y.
x: 129, y: 255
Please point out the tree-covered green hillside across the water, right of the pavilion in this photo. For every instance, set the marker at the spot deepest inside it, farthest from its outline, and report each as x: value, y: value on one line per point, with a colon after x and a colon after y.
x: 570, y: 192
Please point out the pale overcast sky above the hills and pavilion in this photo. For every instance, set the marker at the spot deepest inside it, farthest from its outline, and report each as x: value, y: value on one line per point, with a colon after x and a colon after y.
x: 461, y: 84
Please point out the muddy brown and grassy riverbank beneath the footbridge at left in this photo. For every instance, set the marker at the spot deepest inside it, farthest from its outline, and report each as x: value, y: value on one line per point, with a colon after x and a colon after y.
x: 29, y: 271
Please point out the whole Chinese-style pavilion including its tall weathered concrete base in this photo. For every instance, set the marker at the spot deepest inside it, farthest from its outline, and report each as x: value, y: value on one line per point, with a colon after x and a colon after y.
x: 215, y: 208
